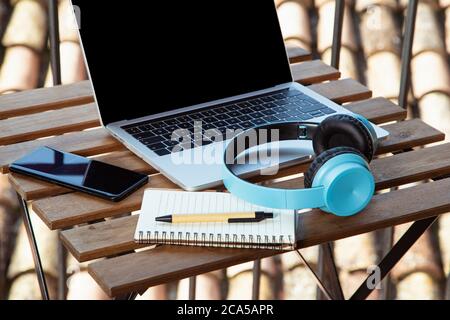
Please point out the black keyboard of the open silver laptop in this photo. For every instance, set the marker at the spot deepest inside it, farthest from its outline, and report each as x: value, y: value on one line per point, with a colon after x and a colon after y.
x: 285, y: 105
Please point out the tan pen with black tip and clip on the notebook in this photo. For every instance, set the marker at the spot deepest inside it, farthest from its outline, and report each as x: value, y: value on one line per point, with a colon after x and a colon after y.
x: 231, y: 217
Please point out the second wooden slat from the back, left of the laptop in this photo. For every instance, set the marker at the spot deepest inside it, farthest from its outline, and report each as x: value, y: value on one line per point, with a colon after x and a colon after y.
x: 44, y: 124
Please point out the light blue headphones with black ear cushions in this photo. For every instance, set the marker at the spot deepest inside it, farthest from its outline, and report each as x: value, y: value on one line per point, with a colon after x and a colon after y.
x: 338, y: 181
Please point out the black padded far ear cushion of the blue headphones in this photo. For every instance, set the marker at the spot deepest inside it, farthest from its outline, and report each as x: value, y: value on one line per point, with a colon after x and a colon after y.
x: 343, y: 130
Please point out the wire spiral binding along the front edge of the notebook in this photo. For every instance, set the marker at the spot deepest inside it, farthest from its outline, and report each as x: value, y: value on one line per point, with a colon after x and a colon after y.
x: 217, y: 240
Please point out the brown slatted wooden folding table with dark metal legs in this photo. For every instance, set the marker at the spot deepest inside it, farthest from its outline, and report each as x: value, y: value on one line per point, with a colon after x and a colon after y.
x: 65, y: 117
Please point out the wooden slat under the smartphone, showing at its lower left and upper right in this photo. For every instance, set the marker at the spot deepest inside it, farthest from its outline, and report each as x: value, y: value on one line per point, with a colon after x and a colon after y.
x: 32, y: 189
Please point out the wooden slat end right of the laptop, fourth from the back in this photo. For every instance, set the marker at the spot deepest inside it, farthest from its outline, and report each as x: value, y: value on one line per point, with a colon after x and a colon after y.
x: 378, y: 110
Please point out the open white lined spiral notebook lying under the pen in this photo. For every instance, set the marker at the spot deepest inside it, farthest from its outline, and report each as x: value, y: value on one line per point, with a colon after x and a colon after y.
x: 277, y: 233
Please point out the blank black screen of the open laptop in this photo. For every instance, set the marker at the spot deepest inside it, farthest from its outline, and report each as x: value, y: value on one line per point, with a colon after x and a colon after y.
x: 150, y: 57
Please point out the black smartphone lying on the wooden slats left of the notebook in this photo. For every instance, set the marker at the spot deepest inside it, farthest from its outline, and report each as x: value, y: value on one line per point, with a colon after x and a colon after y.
x: 79, y: 173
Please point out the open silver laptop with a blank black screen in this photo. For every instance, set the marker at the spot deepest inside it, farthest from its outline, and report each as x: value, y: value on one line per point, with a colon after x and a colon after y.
x: 172, y: 65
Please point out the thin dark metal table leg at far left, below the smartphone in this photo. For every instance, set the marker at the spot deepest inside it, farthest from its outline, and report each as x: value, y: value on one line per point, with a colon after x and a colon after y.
x: 34, y: 249
